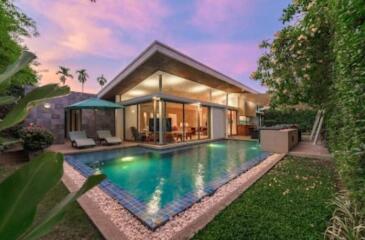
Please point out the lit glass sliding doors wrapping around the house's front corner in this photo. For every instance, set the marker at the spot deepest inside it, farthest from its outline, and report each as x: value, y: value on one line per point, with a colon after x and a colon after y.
x: 164, y: 122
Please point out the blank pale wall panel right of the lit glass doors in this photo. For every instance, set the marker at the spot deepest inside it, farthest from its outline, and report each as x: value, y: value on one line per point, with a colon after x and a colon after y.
x: 218, y: 123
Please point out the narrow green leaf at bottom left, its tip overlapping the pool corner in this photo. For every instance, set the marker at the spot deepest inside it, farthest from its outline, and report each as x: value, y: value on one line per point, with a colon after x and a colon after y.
x: 56, y: 214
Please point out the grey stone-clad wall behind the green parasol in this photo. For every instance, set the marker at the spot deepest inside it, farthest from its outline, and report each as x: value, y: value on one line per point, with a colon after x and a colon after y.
x: 53, y: 118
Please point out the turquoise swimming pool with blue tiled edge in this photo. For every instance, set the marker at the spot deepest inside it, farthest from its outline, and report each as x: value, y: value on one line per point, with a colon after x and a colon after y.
x: 155, y: 185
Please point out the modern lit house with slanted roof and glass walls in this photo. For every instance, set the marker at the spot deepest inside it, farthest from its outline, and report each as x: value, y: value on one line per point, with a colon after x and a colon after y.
x: 169, y: 97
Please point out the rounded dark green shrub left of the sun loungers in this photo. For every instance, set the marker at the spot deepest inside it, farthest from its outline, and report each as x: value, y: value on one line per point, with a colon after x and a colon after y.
x: 35, y: 138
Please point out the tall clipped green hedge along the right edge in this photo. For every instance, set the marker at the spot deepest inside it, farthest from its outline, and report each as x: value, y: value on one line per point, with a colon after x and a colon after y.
x: 346, y: 111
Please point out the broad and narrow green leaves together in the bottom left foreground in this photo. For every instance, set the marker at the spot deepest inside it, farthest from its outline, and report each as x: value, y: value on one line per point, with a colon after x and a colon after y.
x: 22, y: 192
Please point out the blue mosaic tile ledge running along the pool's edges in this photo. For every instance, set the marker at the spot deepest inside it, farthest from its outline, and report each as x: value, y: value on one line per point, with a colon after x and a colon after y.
x: 138, y: 207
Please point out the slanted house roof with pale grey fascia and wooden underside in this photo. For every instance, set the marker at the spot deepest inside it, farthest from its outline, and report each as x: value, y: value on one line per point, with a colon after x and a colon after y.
x: 159, y: 57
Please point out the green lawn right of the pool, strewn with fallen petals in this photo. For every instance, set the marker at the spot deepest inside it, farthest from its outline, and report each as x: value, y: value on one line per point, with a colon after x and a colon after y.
x: 290, y: 202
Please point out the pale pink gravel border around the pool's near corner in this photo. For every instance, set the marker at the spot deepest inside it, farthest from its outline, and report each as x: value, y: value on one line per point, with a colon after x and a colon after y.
x: 183, y: 225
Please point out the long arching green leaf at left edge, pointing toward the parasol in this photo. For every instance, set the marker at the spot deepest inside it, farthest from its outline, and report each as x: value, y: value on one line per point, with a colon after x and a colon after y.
x: 36, y: 96
